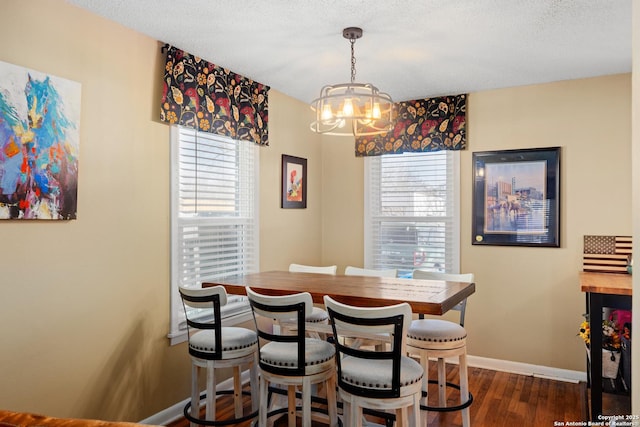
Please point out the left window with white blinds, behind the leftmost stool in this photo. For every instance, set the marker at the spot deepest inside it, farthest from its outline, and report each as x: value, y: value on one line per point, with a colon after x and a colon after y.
x: 214, y: 216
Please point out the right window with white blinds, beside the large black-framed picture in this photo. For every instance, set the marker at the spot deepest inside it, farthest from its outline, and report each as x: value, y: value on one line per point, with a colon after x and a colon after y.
x: 412, y: 212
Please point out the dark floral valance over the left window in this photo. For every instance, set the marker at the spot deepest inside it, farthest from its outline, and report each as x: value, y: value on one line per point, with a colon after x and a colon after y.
x: 209, y: 98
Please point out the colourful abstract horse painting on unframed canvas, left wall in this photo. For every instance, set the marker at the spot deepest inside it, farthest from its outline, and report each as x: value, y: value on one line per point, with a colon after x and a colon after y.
x: 39, y: 144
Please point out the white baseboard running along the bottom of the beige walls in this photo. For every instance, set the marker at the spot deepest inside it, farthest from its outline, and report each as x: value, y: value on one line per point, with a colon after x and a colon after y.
x: 175, y: 412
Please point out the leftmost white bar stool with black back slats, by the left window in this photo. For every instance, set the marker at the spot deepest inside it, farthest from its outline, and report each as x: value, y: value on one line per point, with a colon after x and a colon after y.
x: 212, y: 347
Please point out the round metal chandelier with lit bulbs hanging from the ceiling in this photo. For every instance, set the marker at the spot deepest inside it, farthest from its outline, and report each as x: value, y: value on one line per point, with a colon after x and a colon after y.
x: 356, y: 109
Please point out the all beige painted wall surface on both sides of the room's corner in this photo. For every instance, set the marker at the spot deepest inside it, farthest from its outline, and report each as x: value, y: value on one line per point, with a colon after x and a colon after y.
x: 84, y: 304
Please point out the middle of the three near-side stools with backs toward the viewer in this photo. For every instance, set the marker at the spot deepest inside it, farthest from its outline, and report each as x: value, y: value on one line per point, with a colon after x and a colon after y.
x: 290, y: 358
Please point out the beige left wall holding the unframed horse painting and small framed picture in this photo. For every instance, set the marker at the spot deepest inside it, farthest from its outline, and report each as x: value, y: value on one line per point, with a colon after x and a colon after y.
x: 94, y: 341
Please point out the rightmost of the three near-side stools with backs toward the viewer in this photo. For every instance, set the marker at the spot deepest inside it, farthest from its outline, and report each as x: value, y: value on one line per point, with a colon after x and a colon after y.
x: 375, y: 379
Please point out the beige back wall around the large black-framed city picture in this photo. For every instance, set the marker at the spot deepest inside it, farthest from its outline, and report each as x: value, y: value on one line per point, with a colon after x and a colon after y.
x: 528, y: 304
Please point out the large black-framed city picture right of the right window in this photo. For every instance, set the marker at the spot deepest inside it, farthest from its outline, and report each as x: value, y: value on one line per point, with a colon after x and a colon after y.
x: 516, y: 197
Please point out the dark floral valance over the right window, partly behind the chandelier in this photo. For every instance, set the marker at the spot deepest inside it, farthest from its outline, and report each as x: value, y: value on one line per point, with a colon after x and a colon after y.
x: 430, y: 124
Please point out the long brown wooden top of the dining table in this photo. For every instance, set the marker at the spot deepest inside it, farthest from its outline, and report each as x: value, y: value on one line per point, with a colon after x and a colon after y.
x: 424, y: 296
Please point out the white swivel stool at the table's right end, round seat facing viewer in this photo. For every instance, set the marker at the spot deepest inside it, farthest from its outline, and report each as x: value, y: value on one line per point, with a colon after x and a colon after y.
x: 441, y: 339
